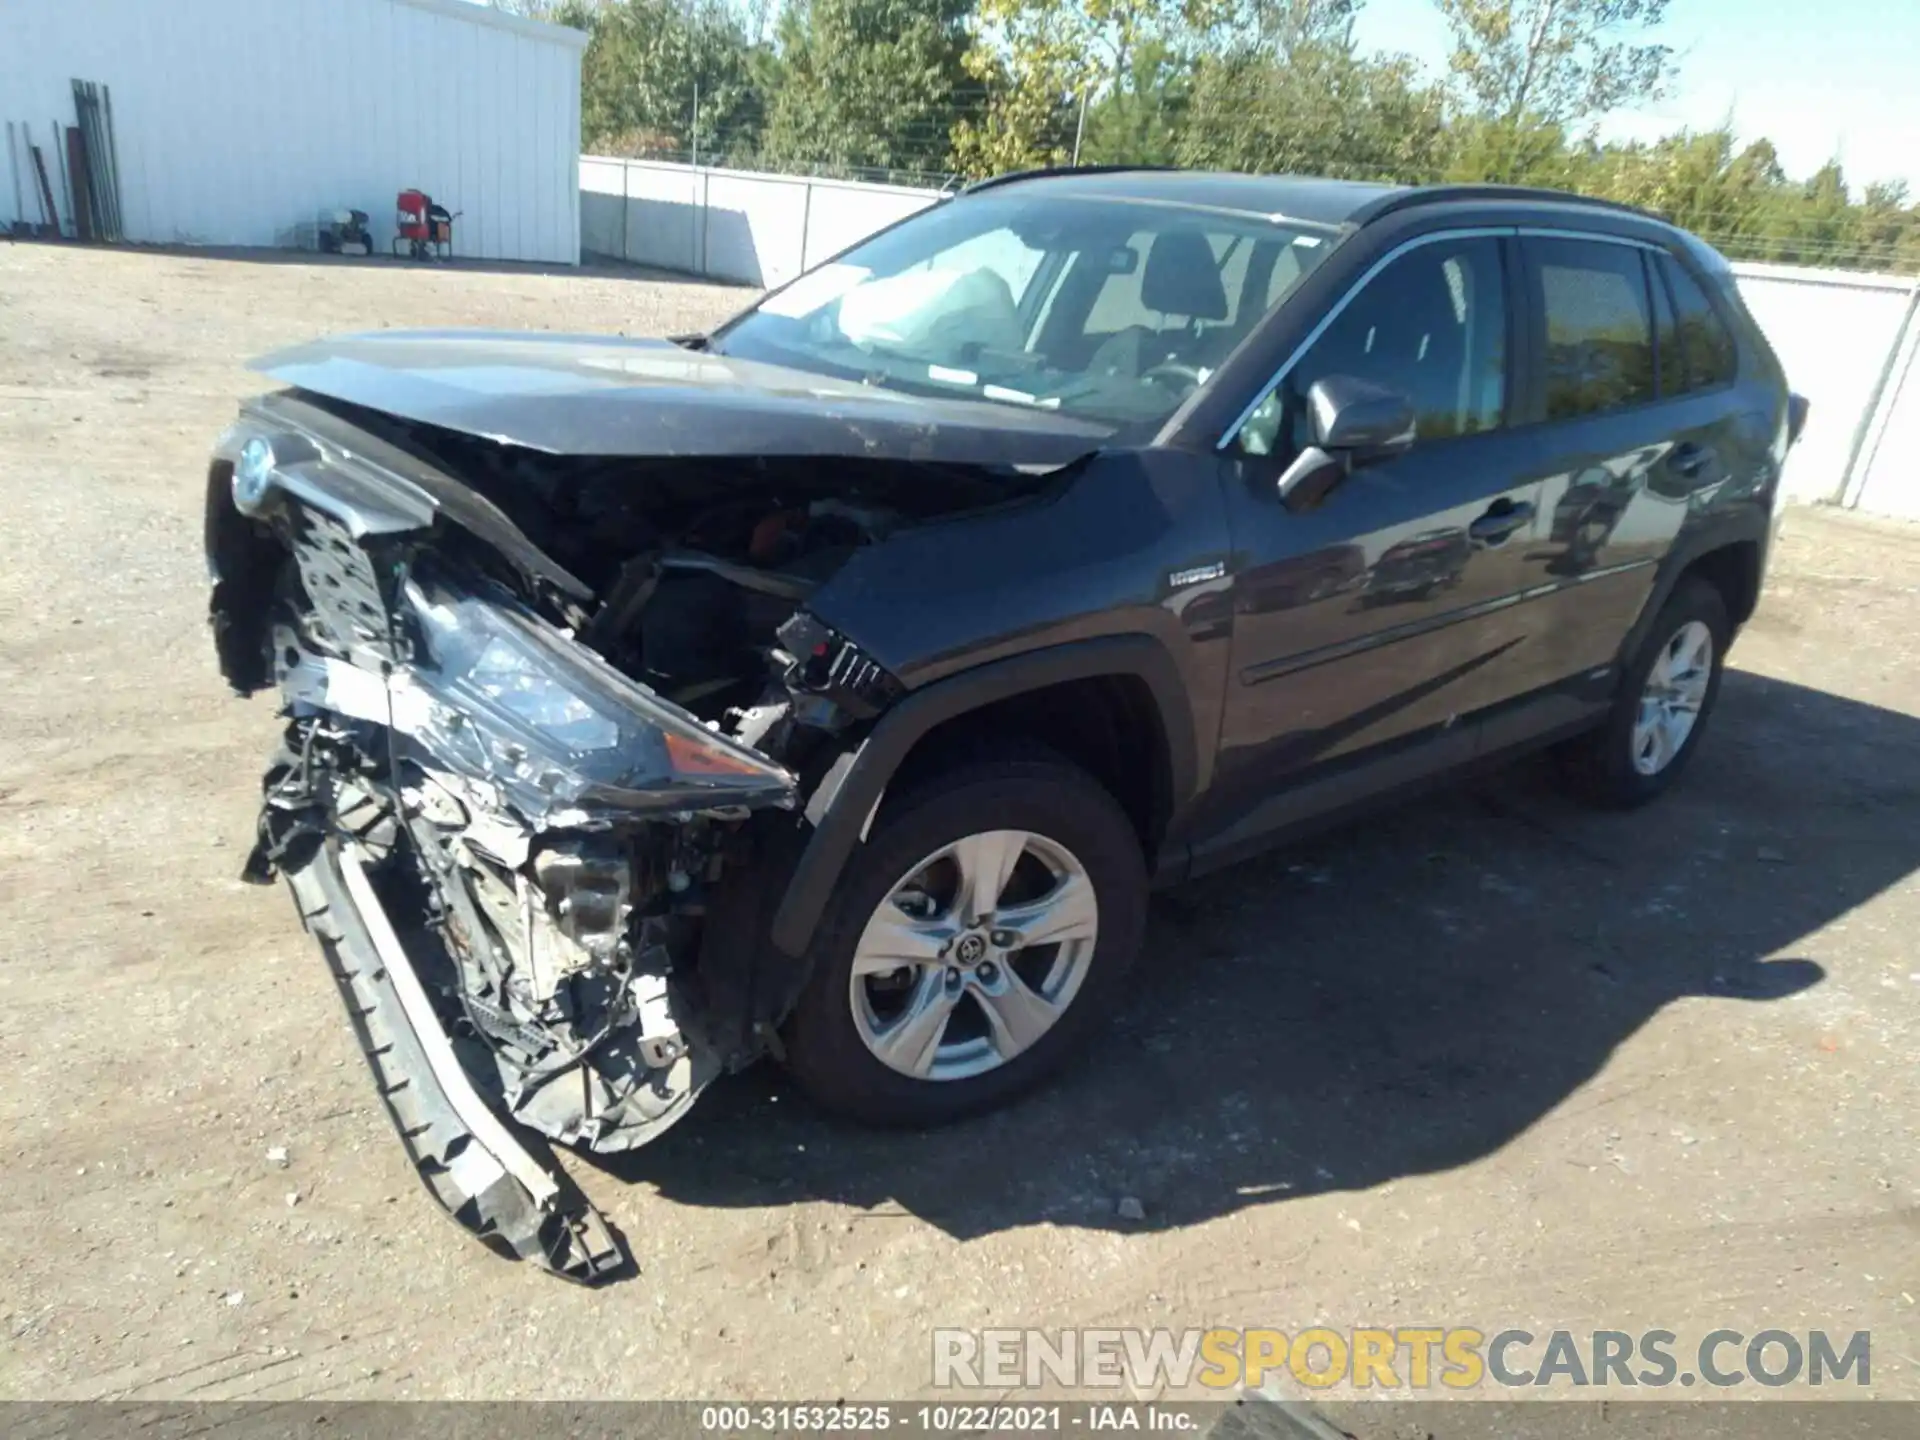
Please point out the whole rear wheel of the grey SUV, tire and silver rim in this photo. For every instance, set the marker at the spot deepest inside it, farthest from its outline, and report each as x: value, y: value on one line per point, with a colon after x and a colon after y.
x: 1664, y: 704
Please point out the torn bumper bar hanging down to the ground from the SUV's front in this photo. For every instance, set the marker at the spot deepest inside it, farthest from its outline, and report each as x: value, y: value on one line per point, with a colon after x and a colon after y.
x: 462, y: 1149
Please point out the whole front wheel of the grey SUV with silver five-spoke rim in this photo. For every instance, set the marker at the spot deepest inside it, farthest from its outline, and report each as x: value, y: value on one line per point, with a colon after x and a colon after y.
x: 838, y: 1028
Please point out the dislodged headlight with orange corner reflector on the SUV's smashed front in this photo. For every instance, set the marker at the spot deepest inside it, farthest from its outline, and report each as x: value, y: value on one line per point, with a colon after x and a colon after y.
x: 506, y: 698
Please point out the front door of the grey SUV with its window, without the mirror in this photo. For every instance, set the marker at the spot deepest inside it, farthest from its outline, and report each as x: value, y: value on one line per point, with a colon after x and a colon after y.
x: 1395, y: 608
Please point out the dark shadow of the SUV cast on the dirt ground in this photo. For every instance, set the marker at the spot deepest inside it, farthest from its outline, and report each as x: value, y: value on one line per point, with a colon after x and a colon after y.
x: 1399, y: 997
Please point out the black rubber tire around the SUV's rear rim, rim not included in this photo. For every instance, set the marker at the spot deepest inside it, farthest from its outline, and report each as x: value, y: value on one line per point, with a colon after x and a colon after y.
x: 1602, y: 767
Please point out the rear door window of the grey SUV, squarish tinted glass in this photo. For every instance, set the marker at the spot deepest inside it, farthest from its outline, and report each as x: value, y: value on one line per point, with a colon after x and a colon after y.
x: 1598, y: 327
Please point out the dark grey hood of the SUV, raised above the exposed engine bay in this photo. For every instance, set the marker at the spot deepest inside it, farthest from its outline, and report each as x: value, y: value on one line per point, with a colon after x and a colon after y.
x: 610, y: 396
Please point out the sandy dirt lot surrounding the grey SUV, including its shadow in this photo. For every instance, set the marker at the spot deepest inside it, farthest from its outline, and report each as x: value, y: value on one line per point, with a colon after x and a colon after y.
x: 1489, y: 1061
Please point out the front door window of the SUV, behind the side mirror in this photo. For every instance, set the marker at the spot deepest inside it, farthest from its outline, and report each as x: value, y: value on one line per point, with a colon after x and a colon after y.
x: 1433, y: 327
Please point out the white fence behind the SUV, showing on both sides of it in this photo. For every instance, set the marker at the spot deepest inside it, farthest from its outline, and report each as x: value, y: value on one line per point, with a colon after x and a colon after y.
x: 1848, y: 341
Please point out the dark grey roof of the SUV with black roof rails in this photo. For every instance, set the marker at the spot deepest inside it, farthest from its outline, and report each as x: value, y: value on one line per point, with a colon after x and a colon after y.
x: 1291, y: 197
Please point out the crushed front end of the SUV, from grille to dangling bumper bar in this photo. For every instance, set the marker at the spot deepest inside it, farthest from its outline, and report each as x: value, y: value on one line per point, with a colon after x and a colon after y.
x: 506, y: 846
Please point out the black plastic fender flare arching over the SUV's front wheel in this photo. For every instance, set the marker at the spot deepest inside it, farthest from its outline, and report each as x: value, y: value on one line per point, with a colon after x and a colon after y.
x: 875, y: 763
